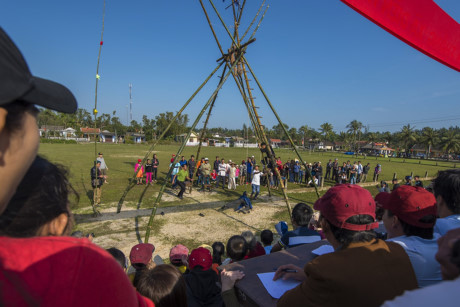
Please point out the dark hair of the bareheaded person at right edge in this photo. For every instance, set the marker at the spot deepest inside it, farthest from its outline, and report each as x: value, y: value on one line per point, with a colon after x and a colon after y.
x: 447, y: 185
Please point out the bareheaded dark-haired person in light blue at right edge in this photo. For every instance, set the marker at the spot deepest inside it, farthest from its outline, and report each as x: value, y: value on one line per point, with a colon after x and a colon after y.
x: 447, y: 193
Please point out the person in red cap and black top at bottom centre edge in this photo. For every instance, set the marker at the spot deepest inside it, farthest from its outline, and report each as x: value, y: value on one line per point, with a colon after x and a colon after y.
x: 201, y: 280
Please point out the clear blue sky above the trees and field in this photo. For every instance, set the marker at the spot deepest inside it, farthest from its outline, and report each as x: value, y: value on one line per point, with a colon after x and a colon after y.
x: 318, y: 61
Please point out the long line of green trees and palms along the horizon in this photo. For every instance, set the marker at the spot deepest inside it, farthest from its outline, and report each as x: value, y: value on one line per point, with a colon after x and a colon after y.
x: 446, y: 139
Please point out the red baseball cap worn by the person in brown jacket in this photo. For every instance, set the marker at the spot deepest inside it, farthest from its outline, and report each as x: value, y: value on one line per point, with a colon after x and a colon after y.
x: 344, y: 201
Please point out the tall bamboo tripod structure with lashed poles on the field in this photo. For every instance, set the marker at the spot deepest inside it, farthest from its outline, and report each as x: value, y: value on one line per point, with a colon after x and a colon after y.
x: 237, y: 66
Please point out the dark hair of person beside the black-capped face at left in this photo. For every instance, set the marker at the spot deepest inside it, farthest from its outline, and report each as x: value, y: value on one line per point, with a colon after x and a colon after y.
x: 42, y: 195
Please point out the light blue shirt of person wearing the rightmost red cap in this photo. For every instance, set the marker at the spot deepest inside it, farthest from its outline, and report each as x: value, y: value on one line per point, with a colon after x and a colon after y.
x: 421, y: 253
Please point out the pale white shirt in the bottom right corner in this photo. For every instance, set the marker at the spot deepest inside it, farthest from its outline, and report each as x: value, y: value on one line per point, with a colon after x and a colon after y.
x: 445, y: 294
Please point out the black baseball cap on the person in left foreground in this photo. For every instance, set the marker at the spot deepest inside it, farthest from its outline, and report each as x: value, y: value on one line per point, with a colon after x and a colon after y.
x: 18, y: 84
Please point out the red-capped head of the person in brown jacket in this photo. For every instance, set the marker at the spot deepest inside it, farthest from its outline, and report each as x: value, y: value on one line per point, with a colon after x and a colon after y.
x: 347, y: 215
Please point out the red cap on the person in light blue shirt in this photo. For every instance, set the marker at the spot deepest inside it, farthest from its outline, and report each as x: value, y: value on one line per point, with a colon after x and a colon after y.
x: 410, y: 204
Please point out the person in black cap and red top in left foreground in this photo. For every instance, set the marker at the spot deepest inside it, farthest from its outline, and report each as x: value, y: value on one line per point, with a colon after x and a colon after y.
x: 49, y: 270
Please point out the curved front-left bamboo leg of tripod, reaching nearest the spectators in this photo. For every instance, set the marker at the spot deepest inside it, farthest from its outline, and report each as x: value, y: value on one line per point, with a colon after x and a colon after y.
x: 160, y: 193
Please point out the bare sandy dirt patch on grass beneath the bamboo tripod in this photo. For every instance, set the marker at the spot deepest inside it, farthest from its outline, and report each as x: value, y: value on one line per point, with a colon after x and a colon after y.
x: 201, y: 222
